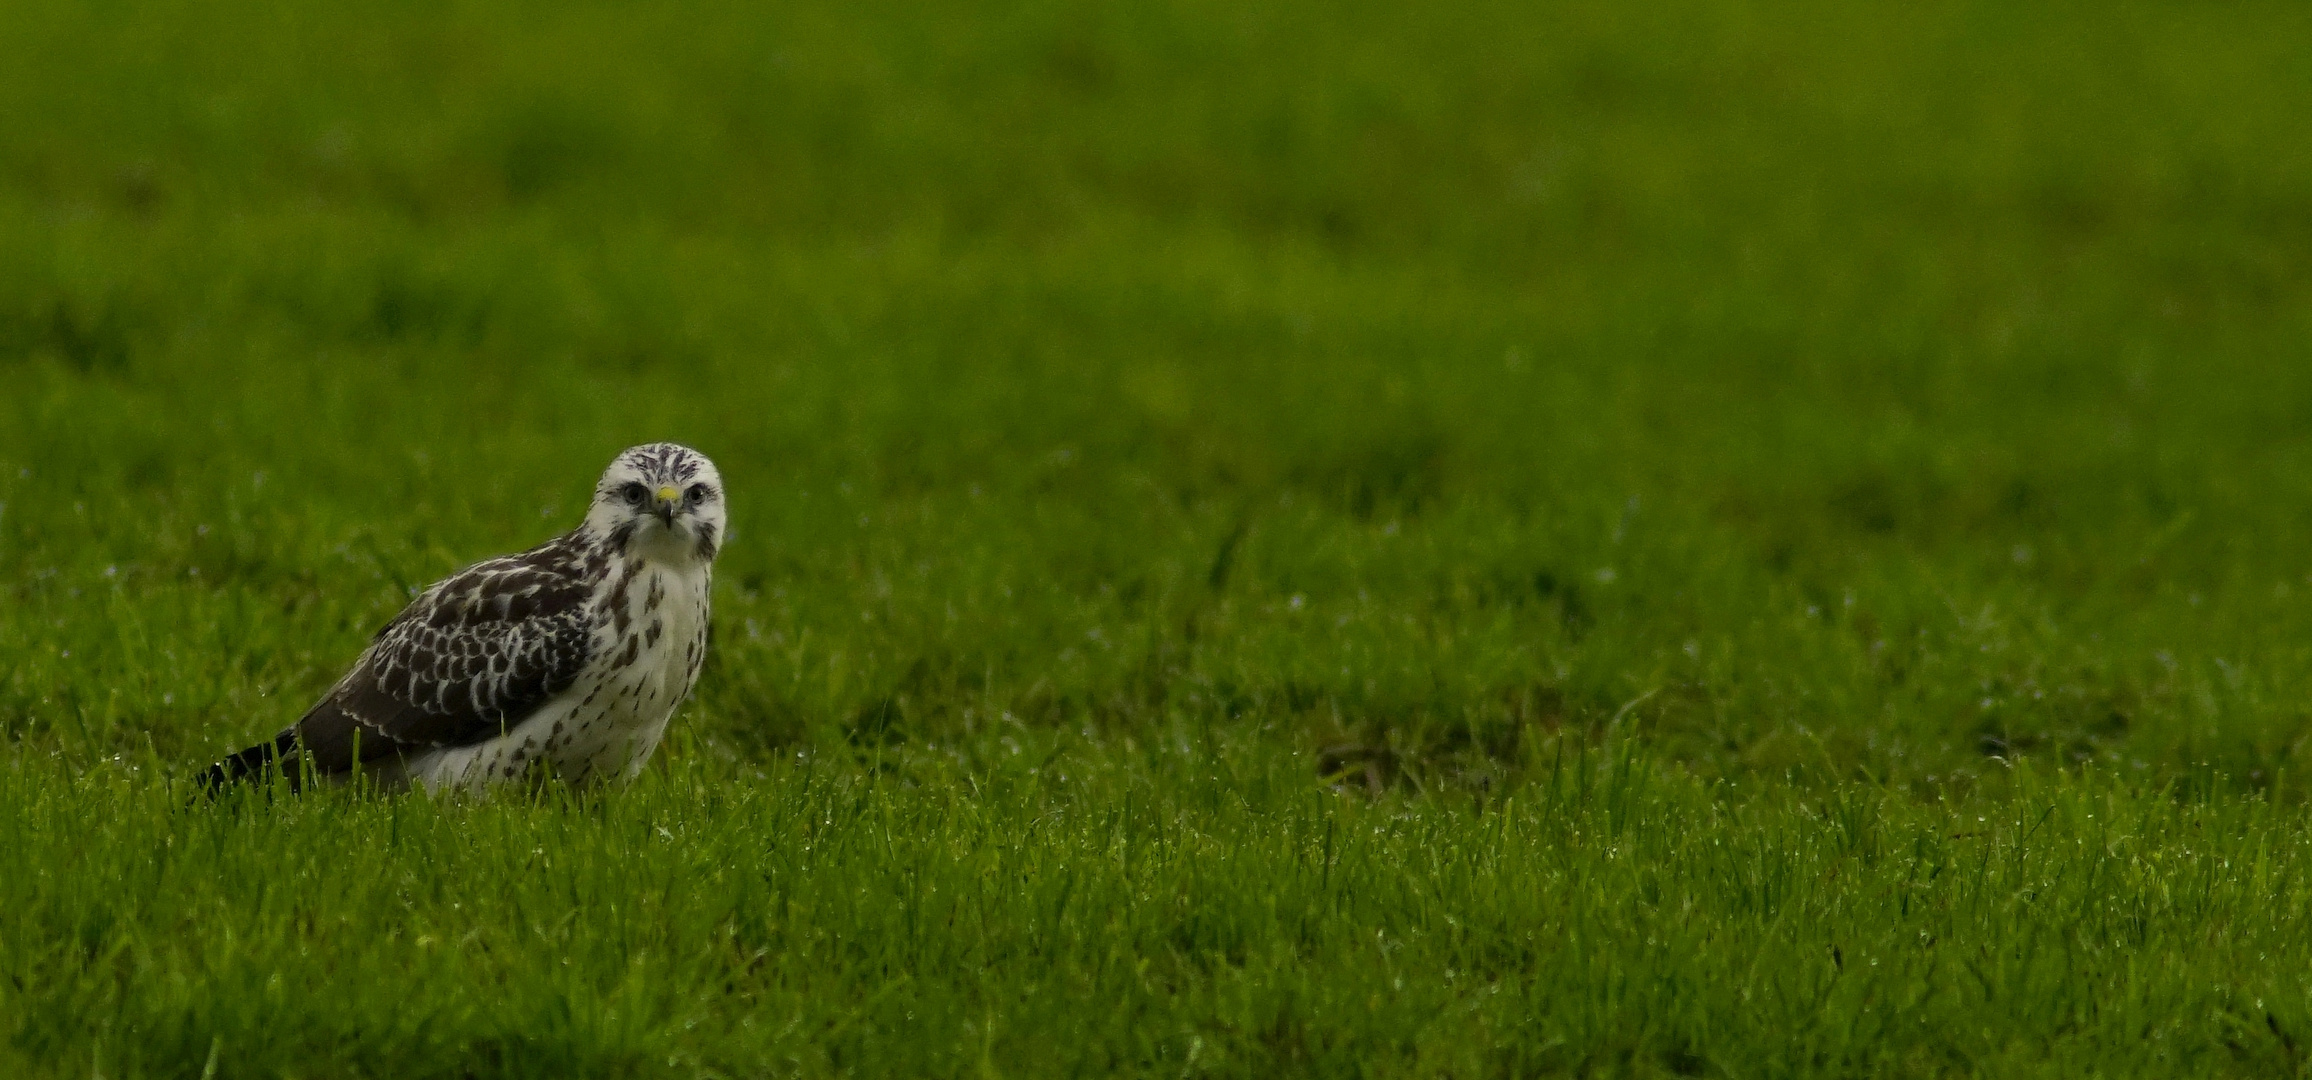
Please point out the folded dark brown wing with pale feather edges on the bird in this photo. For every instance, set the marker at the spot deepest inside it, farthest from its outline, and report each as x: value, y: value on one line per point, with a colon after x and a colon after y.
x: 468, y: 660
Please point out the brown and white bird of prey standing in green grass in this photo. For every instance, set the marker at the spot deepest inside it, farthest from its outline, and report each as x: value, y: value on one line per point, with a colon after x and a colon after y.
x: 568, y: 658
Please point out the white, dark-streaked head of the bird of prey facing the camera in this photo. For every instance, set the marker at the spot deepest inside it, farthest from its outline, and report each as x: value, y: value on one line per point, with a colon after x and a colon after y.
x: 660, y: 501
